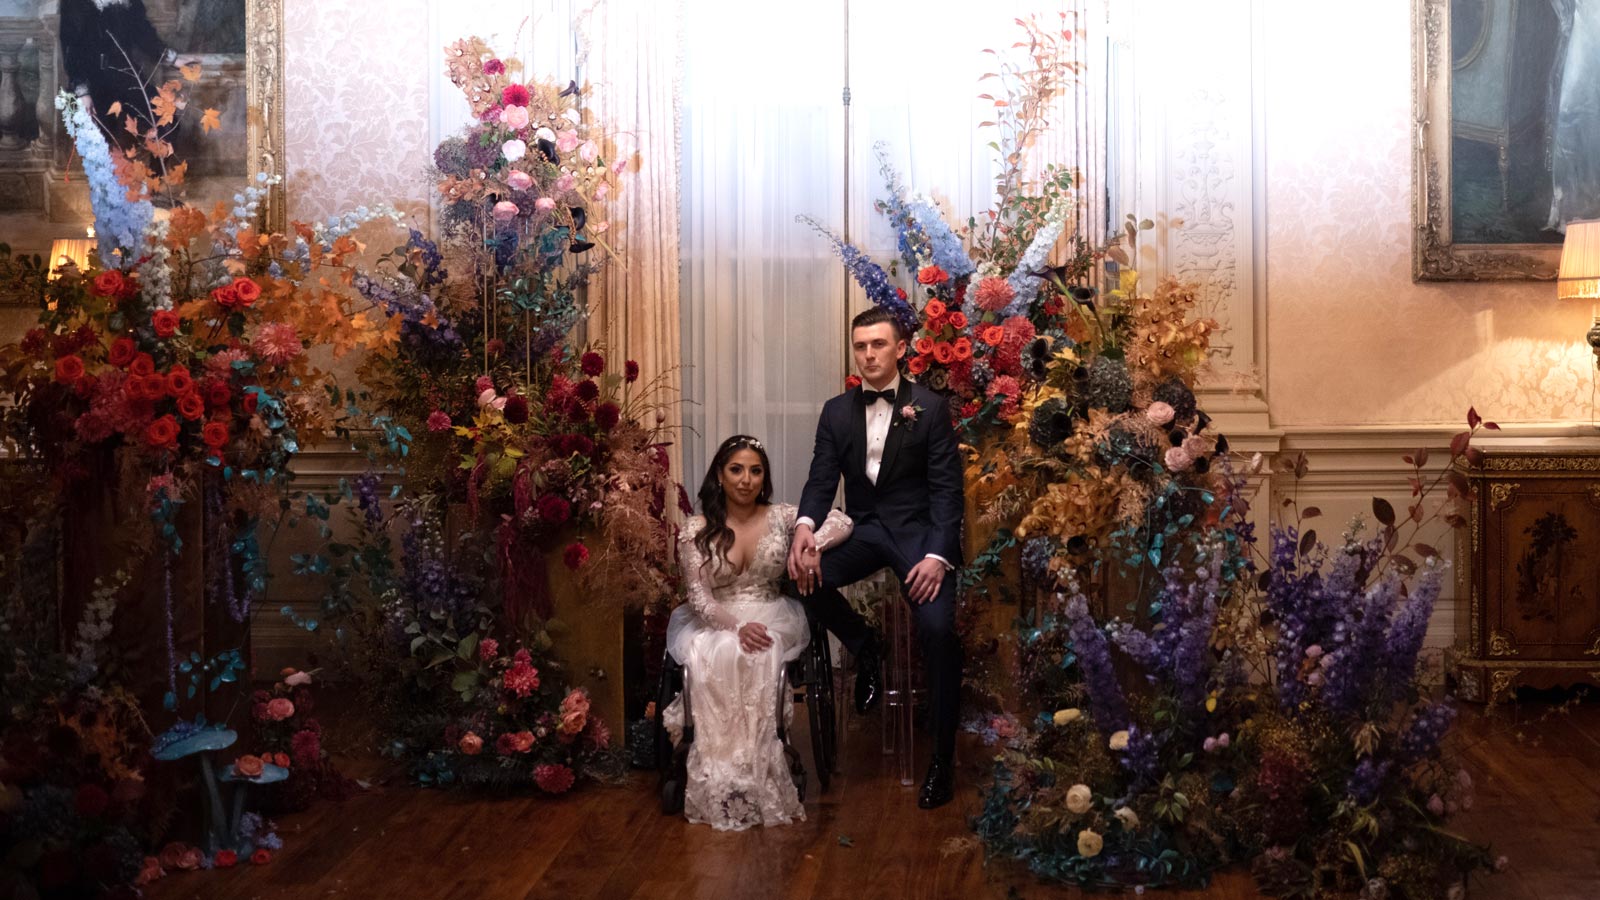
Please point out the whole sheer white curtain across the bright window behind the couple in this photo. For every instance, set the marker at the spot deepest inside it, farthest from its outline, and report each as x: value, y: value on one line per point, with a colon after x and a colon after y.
x: 766, y: 305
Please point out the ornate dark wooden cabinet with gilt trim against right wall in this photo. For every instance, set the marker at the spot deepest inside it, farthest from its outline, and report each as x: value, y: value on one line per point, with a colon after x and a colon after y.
x: 1534, y: 574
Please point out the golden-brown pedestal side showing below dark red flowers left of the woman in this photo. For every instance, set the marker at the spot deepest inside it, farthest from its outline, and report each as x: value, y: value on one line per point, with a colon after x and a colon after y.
x: 588, y: 635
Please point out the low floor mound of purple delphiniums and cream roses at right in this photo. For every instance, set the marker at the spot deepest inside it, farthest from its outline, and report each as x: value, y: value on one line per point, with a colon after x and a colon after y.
x: 1274, y: 715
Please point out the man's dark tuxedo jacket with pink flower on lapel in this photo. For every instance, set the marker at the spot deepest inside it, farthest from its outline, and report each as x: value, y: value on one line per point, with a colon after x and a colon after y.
x: 919, y: 492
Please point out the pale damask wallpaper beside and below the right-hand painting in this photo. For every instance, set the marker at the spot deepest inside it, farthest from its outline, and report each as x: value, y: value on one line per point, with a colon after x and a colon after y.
x: 1351, y: 340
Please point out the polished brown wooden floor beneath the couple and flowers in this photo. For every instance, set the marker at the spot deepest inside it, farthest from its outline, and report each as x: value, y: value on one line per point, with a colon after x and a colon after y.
x: 1538, y: 776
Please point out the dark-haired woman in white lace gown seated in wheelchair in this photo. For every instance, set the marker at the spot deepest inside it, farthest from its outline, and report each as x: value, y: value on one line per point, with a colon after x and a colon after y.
x: 734, y: 638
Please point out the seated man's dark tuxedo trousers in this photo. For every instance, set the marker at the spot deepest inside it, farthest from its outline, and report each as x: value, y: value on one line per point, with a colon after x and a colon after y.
x: 870, y: 550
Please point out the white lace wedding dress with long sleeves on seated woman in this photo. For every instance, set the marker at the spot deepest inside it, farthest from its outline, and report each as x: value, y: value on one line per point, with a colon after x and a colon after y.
x: 737, y: 771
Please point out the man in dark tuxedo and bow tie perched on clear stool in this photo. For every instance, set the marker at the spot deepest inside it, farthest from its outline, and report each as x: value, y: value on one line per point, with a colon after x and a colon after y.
x: 897, y: 449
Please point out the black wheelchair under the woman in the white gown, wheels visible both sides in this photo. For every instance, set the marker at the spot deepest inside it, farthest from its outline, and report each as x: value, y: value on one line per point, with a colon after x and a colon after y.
x: 809, y: 680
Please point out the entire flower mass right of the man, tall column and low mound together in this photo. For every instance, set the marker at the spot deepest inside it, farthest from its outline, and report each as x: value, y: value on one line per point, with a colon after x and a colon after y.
x: 1196, y: 707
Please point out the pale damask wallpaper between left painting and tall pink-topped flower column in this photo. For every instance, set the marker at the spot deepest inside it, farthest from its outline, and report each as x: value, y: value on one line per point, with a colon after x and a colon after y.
x: 358, y: 105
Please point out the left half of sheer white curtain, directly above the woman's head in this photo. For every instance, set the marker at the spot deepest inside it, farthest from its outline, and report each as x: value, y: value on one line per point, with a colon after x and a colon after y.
x: 762, y: 297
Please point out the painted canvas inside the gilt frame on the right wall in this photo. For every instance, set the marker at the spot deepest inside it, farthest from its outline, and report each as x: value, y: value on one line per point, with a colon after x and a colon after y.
x: 1524, y: 119
